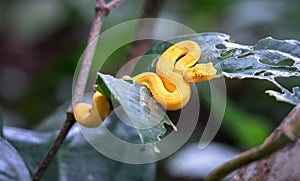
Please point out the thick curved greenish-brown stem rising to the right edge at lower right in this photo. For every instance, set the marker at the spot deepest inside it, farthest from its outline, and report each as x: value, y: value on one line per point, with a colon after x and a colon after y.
x: 288, y: 133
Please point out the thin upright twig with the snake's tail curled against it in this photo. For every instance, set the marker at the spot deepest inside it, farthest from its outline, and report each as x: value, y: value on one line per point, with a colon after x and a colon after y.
x: 102, y: 10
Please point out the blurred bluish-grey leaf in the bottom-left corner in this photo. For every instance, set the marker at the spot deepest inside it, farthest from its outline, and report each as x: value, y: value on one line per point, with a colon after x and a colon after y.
x: 12, y: 166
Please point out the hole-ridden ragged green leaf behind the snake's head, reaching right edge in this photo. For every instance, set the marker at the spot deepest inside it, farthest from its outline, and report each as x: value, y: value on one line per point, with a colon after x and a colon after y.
x: 268, y: 59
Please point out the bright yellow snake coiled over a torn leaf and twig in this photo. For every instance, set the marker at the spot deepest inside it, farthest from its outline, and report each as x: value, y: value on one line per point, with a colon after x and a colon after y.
x: 175, y: 69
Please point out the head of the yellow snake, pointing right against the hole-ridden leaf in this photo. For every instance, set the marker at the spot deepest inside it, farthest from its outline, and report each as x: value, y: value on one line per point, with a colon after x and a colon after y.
x: 200, y: 73
